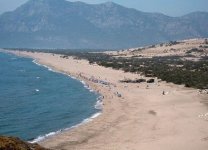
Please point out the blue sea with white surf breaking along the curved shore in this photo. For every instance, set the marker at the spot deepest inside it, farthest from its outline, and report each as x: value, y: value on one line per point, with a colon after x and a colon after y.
x: 37, y: 102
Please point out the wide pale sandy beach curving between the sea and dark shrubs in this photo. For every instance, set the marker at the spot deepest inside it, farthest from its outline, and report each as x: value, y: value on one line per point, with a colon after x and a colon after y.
x: 134, y: 116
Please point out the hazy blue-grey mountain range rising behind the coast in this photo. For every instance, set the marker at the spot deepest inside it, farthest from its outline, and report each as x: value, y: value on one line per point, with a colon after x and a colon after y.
x: 63, y: 24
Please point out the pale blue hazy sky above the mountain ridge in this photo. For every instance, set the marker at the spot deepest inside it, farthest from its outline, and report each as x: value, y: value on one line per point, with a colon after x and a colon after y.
x: 168, y: 7
